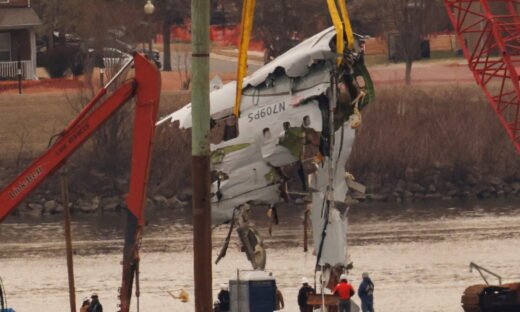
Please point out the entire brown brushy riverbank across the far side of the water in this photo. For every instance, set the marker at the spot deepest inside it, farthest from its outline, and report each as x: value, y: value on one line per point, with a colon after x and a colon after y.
x: 423, y: 143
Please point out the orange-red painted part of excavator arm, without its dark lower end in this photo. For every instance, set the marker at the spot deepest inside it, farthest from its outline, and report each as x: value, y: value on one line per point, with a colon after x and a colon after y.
x: 146, y: 86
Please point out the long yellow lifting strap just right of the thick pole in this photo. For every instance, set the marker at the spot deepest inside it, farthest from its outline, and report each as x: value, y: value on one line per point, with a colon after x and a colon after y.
x: 246, y: 27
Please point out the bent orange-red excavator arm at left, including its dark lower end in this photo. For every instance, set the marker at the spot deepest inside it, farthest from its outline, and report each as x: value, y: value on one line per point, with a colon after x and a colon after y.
x: 145, y: 87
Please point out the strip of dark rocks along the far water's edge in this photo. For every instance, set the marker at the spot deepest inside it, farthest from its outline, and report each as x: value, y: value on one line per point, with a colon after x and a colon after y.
x: 436, y: 184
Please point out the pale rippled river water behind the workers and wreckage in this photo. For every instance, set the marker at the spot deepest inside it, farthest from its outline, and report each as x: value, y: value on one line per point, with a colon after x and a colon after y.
x: 417, y: 255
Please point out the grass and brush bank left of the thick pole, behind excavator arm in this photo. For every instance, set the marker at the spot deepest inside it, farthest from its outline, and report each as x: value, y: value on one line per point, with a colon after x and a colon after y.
x: 99, y: 170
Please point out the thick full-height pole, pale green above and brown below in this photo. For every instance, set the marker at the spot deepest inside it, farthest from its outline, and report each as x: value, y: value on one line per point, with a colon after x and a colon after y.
x: 200, y: 156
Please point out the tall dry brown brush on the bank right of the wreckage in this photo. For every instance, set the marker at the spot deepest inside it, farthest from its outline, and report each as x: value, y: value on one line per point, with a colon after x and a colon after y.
x: 422, y: 127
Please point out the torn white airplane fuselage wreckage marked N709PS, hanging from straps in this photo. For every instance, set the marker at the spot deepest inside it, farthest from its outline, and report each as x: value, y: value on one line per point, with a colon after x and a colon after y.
x: 289, y: 116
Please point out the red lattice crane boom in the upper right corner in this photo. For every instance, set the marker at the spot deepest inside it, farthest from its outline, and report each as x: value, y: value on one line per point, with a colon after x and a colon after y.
x: 489, y: 34
